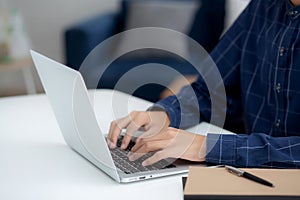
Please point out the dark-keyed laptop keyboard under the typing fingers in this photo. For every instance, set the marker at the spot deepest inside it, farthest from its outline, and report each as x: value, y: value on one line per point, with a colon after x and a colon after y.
x: 124, y: 164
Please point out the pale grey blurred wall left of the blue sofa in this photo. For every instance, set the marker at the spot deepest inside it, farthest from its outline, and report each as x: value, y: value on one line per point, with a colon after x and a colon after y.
x: 45, y: 20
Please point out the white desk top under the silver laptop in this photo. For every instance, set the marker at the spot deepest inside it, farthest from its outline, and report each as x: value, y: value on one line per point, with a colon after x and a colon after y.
x: 36, y: 163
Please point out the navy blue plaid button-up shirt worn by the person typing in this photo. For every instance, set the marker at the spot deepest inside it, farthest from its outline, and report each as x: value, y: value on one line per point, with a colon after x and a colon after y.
x: 259, y: 61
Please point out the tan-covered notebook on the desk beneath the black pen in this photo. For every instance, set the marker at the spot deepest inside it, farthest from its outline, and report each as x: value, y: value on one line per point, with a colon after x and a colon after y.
x: 218, y: 183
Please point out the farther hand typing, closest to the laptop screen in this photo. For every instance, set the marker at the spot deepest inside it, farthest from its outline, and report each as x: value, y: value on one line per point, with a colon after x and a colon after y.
x: 151, y: 122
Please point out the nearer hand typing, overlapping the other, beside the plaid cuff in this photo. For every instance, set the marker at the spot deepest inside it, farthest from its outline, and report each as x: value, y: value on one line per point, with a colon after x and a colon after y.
x: 169, y: 143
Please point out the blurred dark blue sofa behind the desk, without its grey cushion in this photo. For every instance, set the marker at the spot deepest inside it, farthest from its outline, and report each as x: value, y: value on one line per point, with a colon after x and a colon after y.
x: 81, y: 38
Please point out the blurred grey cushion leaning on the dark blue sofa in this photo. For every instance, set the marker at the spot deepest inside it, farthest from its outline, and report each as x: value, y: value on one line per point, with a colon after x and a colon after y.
x: 172, y: 14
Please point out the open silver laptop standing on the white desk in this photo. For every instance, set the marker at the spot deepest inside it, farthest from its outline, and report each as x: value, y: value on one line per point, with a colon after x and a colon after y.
x: 69, y: 98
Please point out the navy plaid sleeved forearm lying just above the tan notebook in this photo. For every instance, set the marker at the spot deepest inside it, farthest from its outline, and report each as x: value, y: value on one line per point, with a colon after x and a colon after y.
x: 255, y: 150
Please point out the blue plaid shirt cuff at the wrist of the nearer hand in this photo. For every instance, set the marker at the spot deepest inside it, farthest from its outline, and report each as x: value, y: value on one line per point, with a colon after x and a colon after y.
x: 221, y: 149
